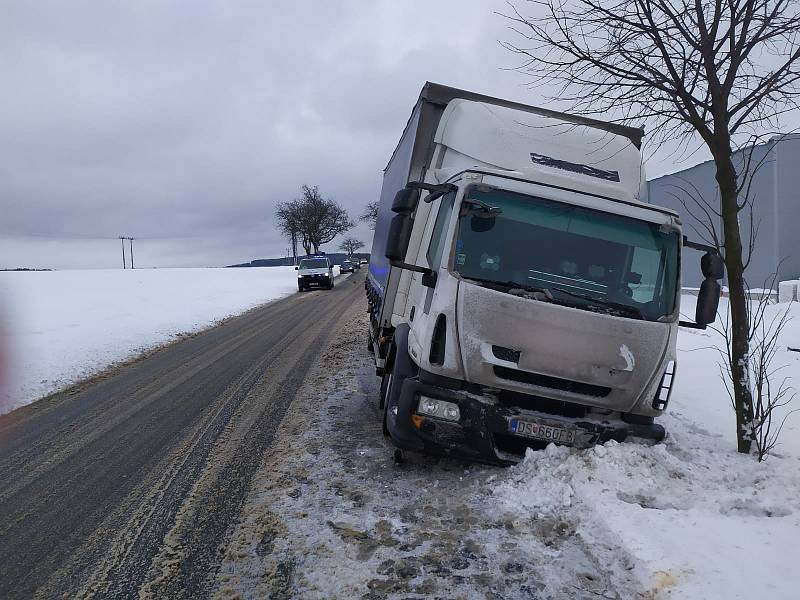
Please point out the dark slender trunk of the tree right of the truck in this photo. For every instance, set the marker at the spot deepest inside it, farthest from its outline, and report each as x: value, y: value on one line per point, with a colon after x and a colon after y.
x: 740, y: 327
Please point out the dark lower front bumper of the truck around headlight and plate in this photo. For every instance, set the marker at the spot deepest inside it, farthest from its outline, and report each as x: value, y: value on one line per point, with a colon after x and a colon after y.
x: 483, y: 431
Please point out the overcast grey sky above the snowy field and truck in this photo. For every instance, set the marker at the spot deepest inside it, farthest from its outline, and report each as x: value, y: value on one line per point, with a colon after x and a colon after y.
x: 184, y: 123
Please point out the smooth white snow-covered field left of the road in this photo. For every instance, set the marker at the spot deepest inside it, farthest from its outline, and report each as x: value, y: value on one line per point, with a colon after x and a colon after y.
x: 62, y: 326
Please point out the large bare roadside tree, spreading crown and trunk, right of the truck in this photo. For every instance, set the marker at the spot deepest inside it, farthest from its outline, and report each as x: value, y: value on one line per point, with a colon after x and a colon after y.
x: 711, y: 72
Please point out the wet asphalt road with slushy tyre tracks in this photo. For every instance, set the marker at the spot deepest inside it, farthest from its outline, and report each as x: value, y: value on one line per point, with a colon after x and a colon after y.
x: 129, y: 483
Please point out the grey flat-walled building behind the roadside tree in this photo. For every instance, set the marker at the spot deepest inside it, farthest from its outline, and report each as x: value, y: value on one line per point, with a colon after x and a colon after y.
x: 776, y: 209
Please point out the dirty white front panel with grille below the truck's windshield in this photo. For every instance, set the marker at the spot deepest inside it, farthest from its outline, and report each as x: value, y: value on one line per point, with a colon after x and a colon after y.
x: 617, y: 357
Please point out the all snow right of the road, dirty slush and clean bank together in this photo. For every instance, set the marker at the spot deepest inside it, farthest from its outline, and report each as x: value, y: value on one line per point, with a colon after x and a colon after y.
x: 331, y: 516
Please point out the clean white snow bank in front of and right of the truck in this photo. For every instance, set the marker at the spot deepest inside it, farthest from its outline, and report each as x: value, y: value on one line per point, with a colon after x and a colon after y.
x: 701, y: 520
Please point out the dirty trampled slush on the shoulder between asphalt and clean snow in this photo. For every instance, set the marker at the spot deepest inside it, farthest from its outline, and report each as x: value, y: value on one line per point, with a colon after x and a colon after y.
x: 330, y: 515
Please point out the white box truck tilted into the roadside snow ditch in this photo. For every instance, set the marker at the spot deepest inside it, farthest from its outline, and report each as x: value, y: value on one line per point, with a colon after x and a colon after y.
x: 521, y: 289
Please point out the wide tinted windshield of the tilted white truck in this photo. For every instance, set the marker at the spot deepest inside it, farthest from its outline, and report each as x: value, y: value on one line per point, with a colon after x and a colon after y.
x: 576, y: 256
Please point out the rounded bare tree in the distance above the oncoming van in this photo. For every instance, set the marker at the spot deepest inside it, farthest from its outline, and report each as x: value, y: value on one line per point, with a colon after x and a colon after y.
x: 312, y: 219
